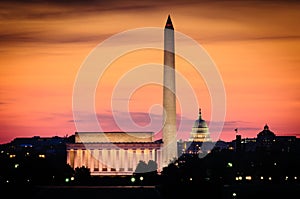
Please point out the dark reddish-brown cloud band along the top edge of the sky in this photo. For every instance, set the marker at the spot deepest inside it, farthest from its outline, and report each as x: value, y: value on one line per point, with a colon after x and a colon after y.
x: 49, y: 9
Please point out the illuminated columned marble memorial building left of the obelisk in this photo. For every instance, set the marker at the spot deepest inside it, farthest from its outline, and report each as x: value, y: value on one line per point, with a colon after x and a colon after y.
x: 112, y: 153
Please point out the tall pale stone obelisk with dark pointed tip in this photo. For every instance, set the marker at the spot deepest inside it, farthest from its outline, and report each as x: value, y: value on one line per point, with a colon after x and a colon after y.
x: 169, y: 97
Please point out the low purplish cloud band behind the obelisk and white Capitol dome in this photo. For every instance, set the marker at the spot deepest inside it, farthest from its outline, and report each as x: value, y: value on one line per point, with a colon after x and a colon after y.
x: 143, y: 121
